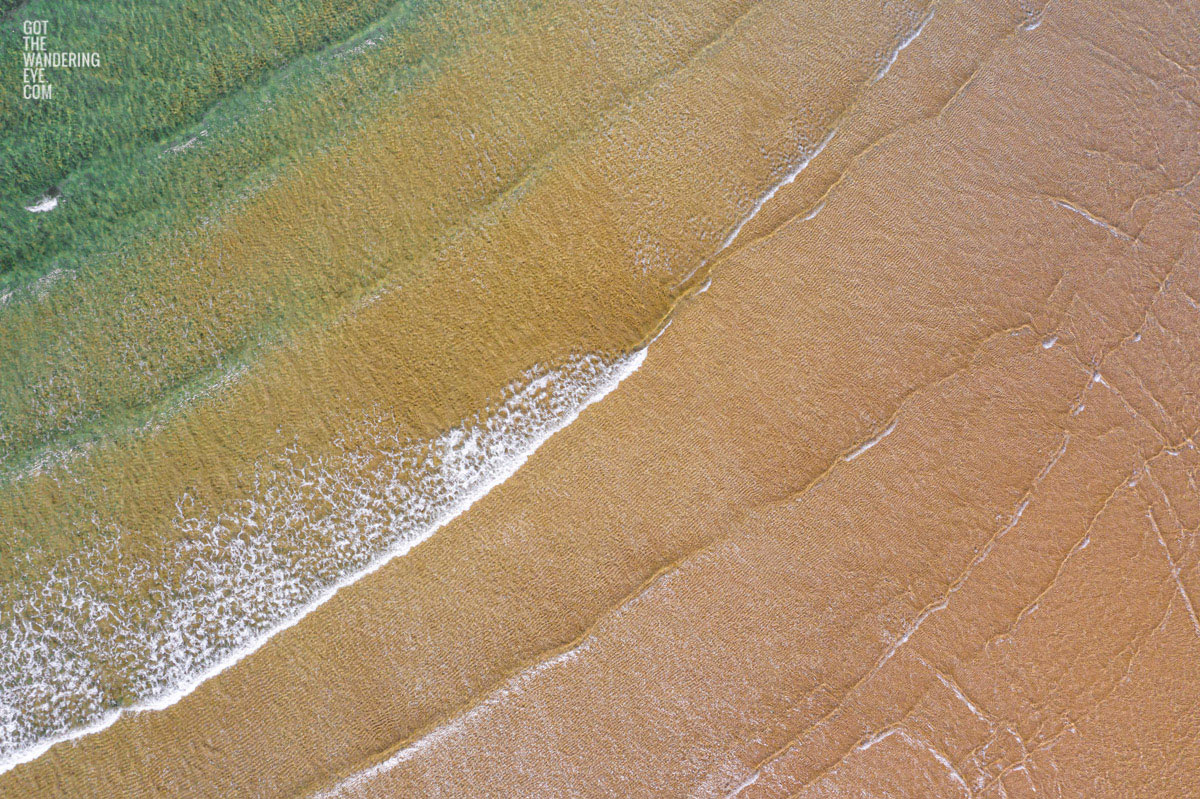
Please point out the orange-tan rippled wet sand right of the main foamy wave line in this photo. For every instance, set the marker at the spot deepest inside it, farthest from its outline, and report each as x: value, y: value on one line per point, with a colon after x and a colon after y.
x: 903, y: 504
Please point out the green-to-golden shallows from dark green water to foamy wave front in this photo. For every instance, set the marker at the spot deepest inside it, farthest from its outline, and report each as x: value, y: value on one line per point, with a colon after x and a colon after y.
x: 212, y: 430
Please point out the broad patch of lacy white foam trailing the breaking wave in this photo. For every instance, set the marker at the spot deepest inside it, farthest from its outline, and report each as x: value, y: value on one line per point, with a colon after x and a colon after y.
x: 107, y: 624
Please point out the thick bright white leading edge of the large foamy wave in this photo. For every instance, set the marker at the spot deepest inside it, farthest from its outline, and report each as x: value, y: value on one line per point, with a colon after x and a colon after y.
x: 500, y: 473
